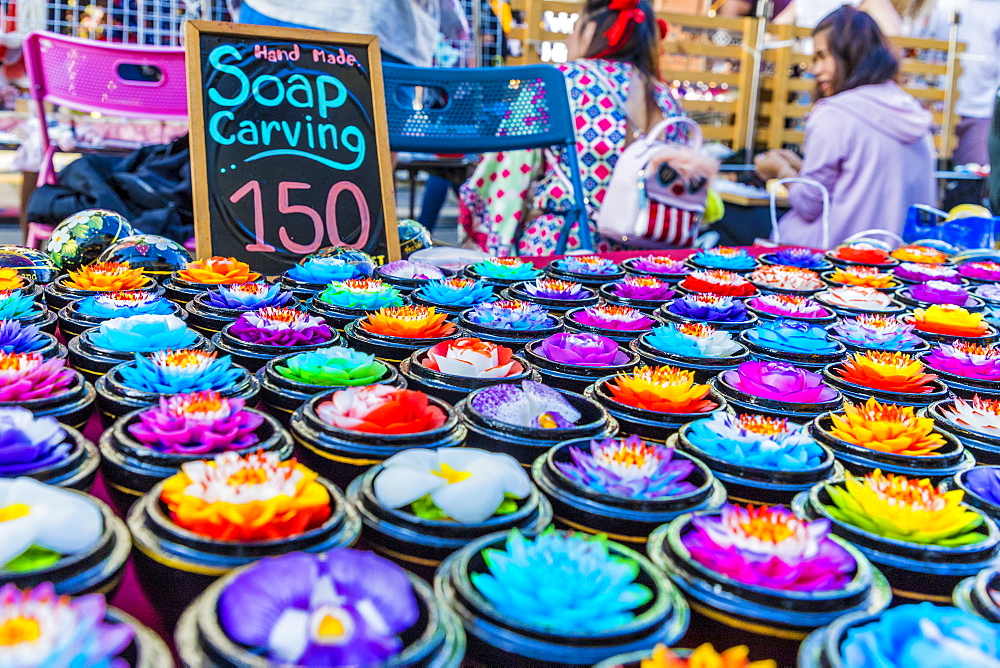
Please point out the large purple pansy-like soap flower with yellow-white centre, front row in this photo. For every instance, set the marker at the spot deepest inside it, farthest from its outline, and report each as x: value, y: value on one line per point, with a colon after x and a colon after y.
x: 340, y: 608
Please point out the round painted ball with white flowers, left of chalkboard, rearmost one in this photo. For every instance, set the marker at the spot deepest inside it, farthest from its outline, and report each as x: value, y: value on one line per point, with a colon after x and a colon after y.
x: 82, y: 237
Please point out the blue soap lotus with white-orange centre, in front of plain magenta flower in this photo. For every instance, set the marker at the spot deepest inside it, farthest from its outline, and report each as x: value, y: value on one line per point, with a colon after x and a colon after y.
x: 756, y: 441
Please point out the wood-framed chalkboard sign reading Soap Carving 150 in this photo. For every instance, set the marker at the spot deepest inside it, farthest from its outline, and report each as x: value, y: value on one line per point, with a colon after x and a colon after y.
x: 289, y: 144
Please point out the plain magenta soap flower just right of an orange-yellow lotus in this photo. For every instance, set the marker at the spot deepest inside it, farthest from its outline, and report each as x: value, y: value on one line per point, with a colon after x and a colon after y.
x: 778, y: 381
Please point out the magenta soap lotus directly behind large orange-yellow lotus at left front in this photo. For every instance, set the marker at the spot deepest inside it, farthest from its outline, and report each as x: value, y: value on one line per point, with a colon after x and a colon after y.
x: 197, y: 423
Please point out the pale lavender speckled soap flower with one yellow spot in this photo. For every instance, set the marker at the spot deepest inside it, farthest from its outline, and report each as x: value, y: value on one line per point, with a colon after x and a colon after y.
x: 529, y: 405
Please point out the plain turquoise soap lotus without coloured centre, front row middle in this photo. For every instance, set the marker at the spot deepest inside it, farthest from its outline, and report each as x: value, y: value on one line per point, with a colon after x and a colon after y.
x: 596, y: 592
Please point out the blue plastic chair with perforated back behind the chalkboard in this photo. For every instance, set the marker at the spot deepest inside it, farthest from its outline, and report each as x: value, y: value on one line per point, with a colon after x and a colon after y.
x: 488, y: 109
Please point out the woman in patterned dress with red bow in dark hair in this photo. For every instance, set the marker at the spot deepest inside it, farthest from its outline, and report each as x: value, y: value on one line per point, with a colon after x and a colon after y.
x: 515, y: 202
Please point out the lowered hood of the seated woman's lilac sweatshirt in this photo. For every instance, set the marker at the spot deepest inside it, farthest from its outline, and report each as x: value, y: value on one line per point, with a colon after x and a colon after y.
x: 885, y: 107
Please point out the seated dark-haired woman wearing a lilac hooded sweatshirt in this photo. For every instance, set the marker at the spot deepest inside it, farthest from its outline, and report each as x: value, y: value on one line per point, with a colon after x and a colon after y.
x: 868, y: 141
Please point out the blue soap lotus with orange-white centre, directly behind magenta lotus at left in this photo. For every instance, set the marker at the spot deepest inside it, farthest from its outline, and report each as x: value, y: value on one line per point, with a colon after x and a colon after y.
x: 184, y: 370
